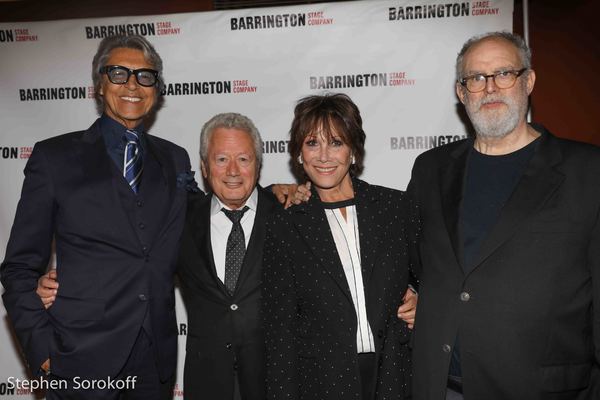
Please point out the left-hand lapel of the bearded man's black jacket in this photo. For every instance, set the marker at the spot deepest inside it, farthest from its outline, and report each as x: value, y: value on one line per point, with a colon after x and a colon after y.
x: 452, y: 181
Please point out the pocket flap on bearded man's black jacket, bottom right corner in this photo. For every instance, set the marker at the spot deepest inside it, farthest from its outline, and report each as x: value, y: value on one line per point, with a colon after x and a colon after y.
x: 562, y: 378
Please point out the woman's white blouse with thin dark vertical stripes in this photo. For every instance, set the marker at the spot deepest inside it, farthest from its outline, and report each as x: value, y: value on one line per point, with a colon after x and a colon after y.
x: 347, y: 242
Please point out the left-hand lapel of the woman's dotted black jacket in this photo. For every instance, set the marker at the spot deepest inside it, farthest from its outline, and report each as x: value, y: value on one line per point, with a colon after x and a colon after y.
x: 311, y: 222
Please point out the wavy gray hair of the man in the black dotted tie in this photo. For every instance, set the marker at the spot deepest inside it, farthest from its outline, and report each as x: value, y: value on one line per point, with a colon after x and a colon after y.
x: 230, y: 121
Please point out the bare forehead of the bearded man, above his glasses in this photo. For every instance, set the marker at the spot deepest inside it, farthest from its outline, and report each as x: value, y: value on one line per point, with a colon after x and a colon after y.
x: 490, y: 55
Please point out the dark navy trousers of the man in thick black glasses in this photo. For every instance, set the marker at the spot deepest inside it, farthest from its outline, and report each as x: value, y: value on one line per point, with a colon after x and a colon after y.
x: 138, y: 380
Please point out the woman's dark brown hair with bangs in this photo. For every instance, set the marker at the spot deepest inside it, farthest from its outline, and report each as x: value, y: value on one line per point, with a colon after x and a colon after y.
x: 333, y: 114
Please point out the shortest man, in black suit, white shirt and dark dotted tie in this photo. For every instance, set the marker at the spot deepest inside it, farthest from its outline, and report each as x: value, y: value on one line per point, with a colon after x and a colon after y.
x: 220, y: 265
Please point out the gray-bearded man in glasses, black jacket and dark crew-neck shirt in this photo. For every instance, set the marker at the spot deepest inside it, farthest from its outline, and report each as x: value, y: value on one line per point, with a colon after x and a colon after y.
x: 509, y: 303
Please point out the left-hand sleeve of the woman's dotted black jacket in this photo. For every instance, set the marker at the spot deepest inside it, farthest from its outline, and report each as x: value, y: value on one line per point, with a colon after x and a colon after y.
x: 279, y: 314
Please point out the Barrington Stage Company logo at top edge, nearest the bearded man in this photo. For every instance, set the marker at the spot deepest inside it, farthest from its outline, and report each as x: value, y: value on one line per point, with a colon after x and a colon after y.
x: 442, y: 10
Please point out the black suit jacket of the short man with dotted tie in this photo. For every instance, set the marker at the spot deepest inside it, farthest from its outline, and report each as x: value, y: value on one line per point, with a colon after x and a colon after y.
x: 224, y: 332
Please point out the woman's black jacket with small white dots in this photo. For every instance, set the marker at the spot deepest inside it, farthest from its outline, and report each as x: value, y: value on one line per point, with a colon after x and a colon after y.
x: 310, y: 320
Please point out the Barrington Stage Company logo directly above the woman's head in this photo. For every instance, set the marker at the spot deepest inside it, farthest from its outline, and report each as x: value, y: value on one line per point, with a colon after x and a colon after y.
x: 397, y: 78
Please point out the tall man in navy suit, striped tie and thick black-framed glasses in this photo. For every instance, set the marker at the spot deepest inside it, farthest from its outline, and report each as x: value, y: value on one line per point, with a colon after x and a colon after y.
x: 112, y: 198
